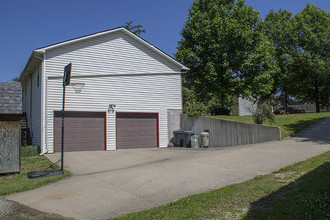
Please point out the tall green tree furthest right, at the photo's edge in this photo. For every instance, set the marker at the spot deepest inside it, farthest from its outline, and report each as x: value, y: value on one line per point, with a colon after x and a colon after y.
x: 311, y: 78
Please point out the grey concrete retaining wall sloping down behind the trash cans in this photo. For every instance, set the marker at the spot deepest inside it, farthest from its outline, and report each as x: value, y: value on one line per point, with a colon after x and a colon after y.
x: 226, y: 133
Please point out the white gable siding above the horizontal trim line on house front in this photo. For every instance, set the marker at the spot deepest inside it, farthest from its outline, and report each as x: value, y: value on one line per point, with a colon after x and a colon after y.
x: 115, y: 53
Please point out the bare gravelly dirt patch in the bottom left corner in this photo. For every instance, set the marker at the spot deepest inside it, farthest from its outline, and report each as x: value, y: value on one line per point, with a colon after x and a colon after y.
x: 13, y: 210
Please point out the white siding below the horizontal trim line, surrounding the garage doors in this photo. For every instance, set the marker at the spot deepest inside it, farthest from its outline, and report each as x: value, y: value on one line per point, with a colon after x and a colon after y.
x: 147, y: 93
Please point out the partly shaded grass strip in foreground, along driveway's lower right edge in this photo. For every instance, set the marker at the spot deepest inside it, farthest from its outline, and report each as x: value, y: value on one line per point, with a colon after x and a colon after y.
x: 299, y: 191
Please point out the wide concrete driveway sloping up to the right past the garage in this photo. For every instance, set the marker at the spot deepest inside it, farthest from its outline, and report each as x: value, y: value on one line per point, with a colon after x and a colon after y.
x: 108, y: 184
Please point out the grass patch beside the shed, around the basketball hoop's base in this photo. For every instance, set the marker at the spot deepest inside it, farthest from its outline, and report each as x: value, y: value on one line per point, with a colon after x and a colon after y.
x: 12, y: 183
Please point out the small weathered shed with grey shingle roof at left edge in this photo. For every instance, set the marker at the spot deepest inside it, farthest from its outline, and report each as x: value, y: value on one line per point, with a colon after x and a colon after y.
x: 10, y: 115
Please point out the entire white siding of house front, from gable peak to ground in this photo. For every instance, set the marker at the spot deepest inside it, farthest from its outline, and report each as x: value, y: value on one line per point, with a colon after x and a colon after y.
x: 118, y: 70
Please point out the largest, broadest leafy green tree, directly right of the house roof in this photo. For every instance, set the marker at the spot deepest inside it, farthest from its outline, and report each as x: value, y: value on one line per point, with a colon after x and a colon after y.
x: 224, y: 47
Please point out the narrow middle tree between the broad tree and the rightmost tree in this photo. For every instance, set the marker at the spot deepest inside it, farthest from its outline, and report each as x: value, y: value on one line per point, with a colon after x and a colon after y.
x: 278, y: 28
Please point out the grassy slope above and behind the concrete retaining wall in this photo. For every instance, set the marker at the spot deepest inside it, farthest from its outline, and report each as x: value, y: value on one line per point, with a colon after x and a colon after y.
x: 289, y: 124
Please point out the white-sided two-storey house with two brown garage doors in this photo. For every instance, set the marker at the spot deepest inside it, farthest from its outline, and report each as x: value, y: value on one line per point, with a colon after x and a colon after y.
x: 118, y: 68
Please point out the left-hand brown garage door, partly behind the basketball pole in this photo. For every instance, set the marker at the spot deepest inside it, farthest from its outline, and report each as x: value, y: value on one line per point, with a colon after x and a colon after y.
x: 82, y: 131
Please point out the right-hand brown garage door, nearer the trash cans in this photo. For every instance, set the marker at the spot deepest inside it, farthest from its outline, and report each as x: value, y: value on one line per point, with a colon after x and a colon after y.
x: 137, y: 130
